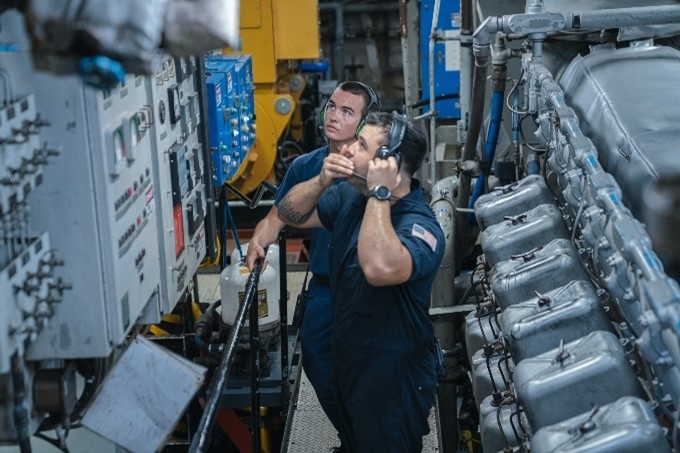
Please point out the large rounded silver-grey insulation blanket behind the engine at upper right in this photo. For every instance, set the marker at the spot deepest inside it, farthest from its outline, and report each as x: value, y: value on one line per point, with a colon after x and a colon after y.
x: 627, y: 101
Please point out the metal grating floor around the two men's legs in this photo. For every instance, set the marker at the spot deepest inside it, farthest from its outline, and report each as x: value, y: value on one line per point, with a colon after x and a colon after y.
x: 312, y: 432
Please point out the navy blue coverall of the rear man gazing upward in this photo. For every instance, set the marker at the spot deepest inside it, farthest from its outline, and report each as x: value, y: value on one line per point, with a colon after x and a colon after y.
x: 315, y: 332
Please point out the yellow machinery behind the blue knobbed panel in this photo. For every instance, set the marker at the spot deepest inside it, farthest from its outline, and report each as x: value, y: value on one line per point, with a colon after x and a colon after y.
x: 277, y: 33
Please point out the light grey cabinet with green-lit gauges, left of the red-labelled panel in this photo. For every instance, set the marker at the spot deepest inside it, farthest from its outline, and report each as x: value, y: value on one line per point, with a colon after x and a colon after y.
x: 98, y: 202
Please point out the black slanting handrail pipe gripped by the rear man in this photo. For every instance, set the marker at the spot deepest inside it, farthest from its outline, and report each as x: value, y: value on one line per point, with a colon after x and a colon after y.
x: 201, y: 440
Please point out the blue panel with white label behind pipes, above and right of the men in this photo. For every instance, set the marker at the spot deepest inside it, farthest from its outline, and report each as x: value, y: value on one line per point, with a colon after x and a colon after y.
x: 446, y: 57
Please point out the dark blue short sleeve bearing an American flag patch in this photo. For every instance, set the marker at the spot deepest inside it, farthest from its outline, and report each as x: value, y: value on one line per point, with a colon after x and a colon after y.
x: 425, y: 242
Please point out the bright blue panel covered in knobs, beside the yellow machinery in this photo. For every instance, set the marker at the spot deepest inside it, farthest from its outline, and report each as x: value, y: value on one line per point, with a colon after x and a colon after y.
x: 231, y: 113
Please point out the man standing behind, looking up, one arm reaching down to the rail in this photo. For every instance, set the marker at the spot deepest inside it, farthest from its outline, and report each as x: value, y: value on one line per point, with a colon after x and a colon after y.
x: 349, y: 103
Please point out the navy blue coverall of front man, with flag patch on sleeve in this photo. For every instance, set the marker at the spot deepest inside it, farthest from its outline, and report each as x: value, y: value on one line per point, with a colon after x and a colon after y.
x: 384, y: 365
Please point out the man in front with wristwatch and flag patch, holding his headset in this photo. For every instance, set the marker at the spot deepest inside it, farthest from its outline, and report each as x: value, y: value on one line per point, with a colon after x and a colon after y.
x: 386, y: 246
